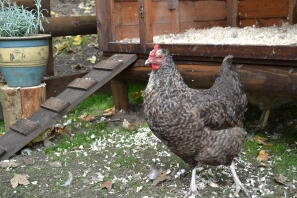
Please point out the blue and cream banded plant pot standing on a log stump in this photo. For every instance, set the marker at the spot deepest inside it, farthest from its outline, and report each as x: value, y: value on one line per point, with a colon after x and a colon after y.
x: 23, y: 60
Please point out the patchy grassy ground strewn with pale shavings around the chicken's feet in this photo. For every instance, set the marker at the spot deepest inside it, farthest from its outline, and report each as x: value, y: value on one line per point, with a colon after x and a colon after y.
x: 97, y: 154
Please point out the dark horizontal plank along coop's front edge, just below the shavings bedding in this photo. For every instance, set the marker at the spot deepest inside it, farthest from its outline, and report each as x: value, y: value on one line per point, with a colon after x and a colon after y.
x: 254, y: 54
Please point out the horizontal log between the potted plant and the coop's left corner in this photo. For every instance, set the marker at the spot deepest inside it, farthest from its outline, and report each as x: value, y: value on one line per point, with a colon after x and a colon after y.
x: 67, y: 26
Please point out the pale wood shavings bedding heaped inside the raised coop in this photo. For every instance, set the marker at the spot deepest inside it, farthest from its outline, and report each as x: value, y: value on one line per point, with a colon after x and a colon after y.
x: 268, y: 36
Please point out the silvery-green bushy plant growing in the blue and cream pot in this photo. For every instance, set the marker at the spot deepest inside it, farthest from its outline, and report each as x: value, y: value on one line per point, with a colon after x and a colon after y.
x: 16, y: 21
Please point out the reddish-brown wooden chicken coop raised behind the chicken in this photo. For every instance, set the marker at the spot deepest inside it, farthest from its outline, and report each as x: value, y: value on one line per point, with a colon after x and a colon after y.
x: 265, y: 69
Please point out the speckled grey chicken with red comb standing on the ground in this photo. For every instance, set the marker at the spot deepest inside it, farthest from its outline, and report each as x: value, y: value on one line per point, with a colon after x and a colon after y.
x: 200, y: 126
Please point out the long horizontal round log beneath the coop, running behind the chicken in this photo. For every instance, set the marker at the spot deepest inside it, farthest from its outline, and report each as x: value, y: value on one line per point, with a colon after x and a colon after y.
x: 265, y: 80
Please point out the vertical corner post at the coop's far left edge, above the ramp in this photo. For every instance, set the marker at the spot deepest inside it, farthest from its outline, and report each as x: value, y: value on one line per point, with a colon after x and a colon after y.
x: 103, y: 13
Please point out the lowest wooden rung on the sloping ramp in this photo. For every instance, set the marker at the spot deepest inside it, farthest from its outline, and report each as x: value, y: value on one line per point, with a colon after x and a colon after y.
x: 24, y: 126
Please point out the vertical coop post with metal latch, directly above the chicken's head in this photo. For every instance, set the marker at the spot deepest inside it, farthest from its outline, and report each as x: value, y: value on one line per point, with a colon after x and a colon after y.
x: 145, y: 22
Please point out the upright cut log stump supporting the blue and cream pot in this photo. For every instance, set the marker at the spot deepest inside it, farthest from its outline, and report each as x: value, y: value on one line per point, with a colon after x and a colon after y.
x: 20, y: 103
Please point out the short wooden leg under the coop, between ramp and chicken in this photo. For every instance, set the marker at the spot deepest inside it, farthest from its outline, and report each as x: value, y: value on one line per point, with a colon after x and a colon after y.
x: 119, y: 90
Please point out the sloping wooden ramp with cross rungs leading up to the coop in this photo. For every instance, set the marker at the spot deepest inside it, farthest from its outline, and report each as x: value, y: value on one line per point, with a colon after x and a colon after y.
x: 25, y: 130
